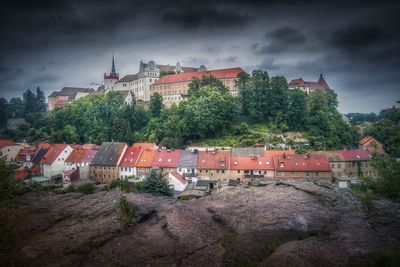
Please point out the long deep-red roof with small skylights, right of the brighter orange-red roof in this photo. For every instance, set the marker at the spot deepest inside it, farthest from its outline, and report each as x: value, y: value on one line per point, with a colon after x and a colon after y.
x: 302, y: 163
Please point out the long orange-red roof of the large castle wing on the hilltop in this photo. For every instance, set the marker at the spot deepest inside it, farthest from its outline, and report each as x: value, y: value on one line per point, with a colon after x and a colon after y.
x: 188, y: 76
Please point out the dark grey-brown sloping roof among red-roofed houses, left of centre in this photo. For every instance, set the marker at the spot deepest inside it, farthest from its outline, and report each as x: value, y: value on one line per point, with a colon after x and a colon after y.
x: 109, y: 154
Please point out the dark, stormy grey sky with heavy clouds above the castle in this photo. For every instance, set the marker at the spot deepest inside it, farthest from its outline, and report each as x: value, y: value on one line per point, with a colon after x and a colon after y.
x: 354, y: 44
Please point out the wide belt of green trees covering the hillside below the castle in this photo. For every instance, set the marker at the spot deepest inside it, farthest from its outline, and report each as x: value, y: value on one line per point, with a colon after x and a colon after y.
x: 209, y: 113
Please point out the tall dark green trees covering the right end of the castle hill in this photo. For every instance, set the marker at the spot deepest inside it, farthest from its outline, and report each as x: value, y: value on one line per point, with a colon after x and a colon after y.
x: 269, y: 100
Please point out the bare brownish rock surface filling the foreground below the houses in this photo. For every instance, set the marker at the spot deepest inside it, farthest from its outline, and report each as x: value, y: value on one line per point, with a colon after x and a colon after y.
x: 290, y: 223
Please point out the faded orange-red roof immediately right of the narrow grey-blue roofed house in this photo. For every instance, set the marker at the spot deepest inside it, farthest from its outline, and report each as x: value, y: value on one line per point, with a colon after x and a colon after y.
x: 214, y: 160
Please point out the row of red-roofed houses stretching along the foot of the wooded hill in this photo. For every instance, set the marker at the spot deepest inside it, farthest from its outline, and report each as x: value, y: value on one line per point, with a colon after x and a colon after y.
x: 68, y: 163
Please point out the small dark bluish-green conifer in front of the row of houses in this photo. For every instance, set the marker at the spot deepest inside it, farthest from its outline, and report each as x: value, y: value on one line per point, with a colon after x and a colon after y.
x: 156, y: 184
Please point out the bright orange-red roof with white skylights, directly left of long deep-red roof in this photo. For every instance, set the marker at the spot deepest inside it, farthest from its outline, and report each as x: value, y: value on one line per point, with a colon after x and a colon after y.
x: 252, y: 163
